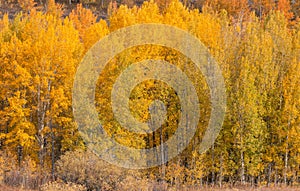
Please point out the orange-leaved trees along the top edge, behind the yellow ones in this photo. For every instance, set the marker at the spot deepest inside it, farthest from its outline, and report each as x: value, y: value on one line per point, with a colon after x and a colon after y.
x: 291, y: 8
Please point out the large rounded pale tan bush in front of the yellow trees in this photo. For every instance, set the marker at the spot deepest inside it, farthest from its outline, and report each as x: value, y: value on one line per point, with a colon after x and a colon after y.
x: 85, y: 168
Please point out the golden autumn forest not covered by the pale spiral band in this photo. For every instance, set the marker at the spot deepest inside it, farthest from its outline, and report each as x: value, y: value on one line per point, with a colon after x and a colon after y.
x: 256, y: 44
